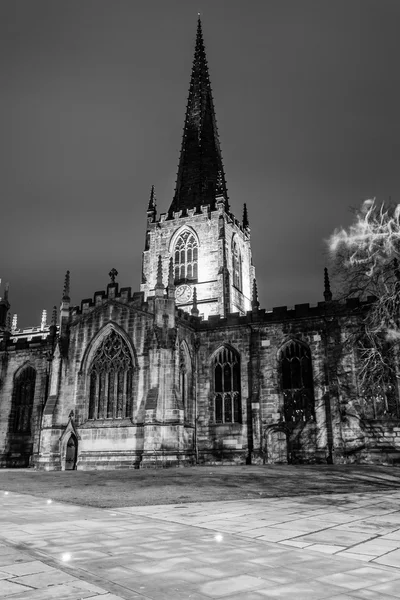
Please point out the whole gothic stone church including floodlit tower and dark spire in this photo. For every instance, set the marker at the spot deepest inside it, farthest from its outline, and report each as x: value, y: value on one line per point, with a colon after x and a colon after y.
x: 189, y: 370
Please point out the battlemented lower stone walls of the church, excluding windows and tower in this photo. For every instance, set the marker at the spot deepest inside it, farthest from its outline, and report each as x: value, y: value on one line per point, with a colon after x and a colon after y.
x: 172, y: 419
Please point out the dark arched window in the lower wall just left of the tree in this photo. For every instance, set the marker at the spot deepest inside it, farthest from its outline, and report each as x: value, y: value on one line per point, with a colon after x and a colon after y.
x: 297, y: 382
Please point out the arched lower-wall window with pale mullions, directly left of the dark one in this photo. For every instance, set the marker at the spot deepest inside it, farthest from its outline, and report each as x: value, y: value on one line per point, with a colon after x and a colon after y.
x: 227, y: 402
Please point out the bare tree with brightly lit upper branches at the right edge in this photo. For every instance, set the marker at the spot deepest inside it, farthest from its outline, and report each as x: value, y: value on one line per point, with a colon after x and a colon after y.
x: 365, y: 265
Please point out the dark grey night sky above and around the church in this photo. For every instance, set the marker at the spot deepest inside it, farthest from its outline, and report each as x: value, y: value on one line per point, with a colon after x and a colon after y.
x: 92, y: 102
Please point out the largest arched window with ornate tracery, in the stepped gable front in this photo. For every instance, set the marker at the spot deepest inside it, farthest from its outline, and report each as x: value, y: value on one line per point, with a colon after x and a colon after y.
x: 110, y: 376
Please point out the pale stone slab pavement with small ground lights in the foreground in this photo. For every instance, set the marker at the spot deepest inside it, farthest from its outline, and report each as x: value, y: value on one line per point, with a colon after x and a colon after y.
x: 338, y: 547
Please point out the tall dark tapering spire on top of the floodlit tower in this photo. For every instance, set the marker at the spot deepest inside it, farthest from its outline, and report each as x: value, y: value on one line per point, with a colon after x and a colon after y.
x: 200, y: 172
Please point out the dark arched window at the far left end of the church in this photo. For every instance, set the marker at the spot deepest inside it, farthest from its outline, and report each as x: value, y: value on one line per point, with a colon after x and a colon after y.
x: 23, y: 394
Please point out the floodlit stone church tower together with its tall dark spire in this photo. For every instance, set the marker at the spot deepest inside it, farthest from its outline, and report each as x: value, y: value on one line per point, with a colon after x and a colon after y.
x: 210, y: 248
